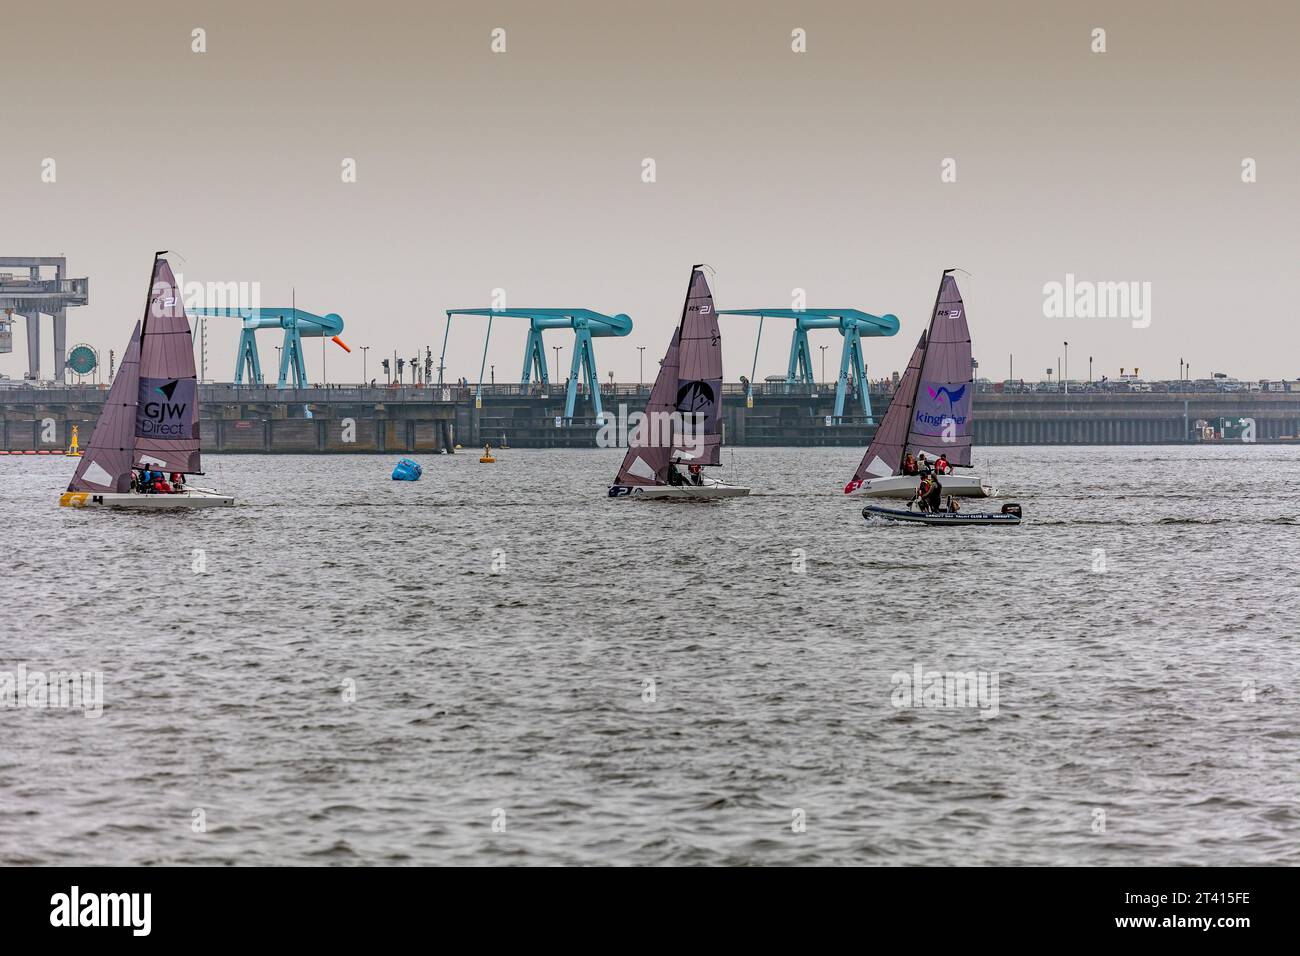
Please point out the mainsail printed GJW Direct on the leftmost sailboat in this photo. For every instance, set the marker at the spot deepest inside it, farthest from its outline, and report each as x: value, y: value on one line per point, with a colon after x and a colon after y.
x: 167, y: 414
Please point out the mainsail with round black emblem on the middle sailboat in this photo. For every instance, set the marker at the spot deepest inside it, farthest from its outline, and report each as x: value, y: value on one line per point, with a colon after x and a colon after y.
x: 700, y: 379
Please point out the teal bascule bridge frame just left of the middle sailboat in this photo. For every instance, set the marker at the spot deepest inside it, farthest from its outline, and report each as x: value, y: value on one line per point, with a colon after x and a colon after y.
x: 586, y: 326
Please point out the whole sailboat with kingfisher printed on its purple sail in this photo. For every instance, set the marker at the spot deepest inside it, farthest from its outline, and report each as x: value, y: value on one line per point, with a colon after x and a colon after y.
x: 931, y: 410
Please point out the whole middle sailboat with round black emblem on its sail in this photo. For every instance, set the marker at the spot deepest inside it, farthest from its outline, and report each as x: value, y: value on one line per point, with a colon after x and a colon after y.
x: 682, y: 425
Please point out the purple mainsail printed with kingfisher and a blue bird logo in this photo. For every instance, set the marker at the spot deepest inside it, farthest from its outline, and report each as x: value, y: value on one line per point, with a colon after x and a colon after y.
x: 942, y: 412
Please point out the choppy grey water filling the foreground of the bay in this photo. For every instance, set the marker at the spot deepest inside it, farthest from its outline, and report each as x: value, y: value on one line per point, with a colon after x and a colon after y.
x: 1160, y: 693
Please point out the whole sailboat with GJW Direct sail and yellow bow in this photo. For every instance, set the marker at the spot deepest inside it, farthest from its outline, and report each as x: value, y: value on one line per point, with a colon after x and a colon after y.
x: 151, y: 414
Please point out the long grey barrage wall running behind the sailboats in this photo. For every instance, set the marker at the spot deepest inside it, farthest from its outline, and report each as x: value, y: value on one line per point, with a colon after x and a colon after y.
x: 423, y: 419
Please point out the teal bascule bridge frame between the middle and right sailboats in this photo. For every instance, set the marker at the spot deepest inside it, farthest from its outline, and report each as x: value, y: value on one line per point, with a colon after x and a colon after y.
x: 852, y: 323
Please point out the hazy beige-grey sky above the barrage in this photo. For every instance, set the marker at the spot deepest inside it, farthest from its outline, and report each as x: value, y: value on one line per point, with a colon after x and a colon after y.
x: 904, y: 140
